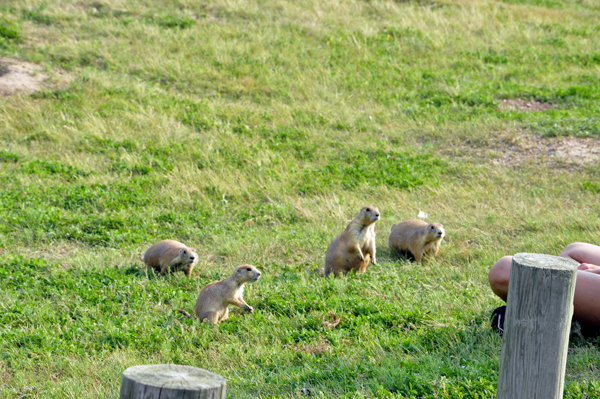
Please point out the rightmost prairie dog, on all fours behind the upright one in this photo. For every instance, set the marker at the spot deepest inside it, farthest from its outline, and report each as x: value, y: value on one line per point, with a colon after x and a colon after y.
x: 416, y: 236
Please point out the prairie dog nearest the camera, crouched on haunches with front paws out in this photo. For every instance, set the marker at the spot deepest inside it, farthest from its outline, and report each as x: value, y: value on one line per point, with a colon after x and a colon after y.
x: 214, y: 299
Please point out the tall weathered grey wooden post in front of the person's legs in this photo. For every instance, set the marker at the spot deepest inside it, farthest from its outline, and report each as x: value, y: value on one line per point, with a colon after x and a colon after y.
x: 536, y: 329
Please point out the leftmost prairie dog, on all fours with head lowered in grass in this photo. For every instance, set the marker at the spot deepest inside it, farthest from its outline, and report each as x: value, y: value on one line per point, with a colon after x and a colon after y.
x: 171, y: 255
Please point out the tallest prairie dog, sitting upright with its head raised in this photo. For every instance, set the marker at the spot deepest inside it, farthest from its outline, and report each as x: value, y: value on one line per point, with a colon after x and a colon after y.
x: 355, y: 247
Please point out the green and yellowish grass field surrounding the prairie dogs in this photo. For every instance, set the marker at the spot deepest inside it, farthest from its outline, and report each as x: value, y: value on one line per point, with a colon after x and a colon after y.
x: 253, y: 131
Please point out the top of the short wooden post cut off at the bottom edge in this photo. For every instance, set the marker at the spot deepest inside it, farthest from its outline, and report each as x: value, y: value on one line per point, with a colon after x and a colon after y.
x: 171, y: 381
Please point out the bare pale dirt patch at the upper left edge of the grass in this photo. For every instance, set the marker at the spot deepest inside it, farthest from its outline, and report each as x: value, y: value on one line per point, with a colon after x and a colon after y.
x: 18, y: 77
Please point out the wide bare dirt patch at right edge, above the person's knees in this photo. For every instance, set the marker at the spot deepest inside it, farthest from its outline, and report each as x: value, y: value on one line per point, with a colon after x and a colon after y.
x: 568, y: 151
